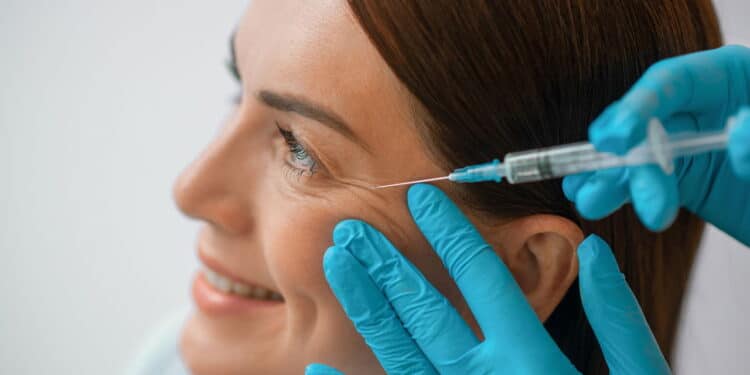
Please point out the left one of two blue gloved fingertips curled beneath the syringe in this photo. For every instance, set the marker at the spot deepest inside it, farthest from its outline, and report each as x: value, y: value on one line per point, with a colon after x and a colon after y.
x: 603, y: 193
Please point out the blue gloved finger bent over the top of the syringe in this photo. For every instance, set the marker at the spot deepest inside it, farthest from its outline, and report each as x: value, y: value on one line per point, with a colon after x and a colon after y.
x: 693, y: 82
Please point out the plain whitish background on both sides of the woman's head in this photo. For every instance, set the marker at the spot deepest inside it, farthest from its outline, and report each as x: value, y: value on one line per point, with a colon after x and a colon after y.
x: 102, y: 103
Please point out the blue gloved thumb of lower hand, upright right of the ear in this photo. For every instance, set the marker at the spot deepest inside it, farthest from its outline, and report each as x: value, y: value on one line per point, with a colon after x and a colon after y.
x: 626, y: 341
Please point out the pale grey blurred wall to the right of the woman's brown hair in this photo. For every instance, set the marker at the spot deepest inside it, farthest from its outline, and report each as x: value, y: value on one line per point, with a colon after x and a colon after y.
x: 714, y: 331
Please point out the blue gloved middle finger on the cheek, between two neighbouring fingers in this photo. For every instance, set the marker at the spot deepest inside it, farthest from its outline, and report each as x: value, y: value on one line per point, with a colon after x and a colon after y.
x: 434, y: 324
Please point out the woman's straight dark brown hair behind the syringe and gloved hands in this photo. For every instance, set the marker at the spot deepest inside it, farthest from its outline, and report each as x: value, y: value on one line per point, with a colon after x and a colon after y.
x: 491, y: 77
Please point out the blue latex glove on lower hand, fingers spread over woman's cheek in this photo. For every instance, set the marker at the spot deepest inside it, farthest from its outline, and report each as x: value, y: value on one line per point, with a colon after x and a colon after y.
x: 413, y: 329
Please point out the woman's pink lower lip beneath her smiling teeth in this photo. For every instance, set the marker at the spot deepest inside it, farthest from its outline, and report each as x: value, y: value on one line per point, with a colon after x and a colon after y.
x: 214, y: 301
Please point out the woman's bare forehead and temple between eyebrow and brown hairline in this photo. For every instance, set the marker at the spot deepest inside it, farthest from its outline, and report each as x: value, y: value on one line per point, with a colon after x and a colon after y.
x: 316, y: 49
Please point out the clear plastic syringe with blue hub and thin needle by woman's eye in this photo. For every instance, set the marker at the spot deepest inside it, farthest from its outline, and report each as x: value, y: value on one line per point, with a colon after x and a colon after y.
x: 559, y: 161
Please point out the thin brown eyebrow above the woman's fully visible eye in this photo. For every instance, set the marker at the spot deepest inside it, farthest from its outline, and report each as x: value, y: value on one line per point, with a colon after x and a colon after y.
x: 306, y: 108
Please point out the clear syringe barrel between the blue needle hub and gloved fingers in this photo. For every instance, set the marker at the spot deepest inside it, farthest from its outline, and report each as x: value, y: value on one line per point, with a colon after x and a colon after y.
x: 558, y: 161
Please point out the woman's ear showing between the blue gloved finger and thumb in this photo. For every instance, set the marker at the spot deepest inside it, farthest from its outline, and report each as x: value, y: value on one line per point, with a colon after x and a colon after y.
x: 540, y: 251
